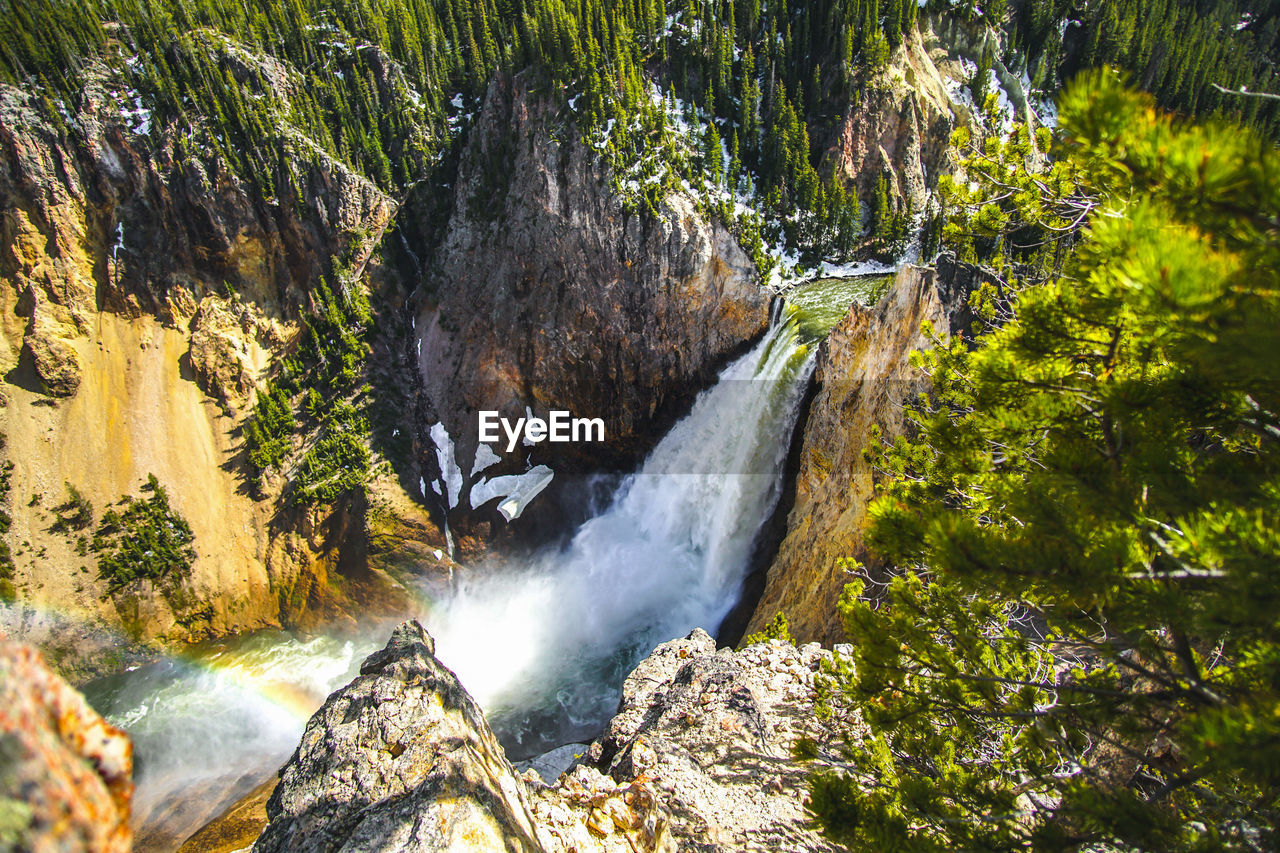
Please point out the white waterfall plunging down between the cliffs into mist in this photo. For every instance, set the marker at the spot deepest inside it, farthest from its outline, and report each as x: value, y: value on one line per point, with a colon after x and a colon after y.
x: 546, y: 649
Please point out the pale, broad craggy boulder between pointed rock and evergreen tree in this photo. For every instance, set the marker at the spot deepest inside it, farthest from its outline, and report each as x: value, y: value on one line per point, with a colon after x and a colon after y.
x: 714, y: 735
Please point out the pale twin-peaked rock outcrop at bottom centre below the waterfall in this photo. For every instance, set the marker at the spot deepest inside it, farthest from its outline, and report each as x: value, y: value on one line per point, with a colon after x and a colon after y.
x: 698, y: 759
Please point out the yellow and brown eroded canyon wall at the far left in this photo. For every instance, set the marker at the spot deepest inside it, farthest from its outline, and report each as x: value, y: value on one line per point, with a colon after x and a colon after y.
x: 145, y: 293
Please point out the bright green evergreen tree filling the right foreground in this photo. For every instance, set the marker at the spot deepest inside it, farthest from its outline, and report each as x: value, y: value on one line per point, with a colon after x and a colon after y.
x: 1082, y: 647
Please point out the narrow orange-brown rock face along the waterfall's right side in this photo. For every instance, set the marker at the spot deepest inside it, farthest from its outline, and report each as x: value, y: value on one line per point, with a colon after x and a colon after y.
x: 865, y: 380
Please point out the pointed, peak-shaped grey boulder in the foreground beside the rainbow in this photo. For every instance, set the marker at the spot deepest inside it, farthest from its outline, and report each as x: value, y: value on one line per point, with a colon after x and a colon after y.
x: 404, y: 760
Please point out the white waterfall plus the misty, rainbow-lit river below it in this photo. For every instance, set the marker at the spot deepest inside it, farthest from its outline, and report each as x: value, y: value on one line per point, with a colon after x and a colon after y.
x: 543, y: 647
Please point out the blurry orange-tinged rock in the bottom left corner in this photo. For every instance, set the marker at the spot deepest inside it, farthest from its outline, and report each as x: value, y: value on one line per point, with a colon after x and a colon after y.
x: 66, y: 776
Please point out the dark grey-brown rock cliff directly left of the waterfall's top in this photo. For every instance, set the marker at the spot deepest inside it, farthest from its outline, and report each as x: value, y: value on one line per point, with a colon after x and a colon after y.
x: 550, y: 294
